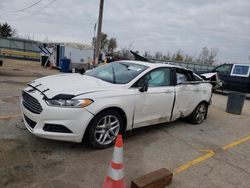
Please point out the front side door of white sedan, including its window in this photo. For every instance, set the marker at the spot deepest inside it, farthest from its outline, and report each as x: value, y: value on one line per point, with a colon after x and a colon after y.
x: 154, y: 105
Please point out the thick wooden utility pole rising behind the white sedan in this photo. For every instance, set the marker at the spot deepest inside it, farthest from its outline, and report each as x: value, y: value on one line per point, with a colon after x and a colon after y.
x: 99, y: 30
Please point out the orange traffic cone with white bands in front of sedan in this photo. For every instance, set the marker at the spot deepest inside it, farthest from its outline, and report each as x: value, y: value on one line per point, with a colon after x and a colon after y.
x: 115, y: 177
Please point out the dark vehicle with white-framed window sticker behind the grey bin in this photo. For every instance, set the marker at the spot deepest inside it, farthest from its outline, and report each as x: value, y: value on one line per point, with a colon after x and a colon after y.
x: 234, y: 77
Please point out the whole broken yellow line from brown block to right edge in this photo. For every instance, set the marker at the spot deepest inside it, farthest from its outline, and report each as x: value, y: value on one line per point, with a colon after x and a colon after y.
x: 209, y: 154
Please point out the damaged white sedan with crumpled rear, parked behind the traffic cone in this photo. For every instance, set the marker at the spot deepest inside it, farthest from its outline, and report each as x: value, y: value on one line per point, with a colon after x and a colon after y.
x: 111, y: 99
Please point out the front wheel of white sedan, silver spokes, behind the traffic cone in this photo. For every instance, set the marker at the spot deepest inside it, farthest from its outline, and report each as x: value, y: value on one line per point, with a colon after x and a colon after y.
x: 104, y: 128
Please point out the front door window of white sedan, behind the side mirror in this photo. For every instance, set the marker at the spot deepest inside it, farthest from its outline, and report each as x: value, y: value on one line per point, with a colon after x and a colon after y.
x: 157, y: 78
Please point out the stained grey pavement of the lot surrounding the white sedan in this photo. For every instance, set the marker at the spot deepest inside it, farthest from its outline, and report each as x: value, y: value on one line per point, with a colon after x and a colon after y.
x: 214, y: 154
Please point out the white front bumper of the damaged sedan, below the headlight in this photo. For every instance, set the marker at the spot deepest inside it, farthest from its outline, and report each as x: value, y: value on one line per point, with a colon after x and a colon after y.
x: 74, y: 119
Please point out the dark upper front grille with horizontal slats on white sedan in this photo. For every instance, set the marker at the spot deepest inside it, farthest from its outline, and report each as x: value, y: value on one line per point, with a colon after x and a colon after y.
x: 31, y: 103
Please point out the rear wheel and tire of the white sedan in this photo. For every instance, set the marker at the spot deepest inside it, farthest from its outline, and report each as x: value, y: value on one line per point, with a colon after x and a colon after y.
x: 199, y: 114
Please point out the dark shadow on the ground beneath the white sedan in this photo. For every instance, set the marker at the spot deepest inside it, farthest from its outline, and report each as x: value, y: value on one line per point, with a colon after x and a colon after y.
x: 47, y: 146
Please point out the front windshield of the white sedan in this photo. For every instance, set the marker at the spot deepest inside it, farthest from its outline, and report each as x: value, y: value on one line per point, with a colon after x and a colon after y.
x: 117, y: 72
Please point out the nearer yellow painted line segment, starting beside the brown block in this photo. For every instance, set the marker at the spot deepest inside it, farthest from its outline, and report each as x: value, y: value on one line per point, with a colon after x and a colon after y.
x: 186, y: 166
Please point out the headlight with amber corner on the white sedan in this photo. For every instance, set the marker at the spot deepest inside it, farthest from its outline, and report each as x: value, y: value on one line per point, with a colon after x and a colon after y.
x: 77, y: 103
